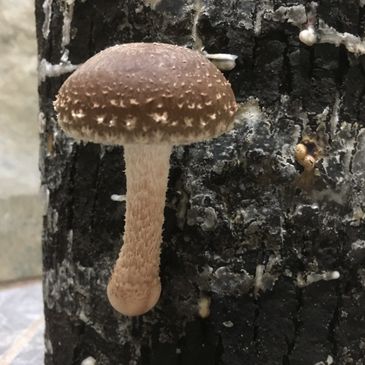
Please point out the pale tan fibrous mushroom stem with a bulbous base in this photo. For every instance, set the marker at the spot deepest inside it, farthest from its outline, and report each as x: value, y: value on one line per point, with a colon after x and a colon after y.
x: 134, y: 287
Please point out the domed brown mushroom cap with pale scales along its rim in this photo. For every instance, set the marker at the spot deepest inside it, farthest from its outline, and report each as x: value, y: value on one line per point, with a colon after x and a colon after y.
x: 146, y: 93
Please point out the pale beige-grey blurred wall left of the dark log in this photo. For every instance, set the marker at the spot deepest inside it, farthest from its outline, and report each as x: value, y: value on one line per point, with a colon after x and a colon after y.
x: 20, y: 206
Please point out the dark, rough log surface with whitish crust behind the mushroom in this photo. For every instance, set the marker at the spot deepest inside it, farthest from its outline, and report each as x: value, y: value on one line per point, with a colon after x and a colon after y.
x: 245, y: 229
